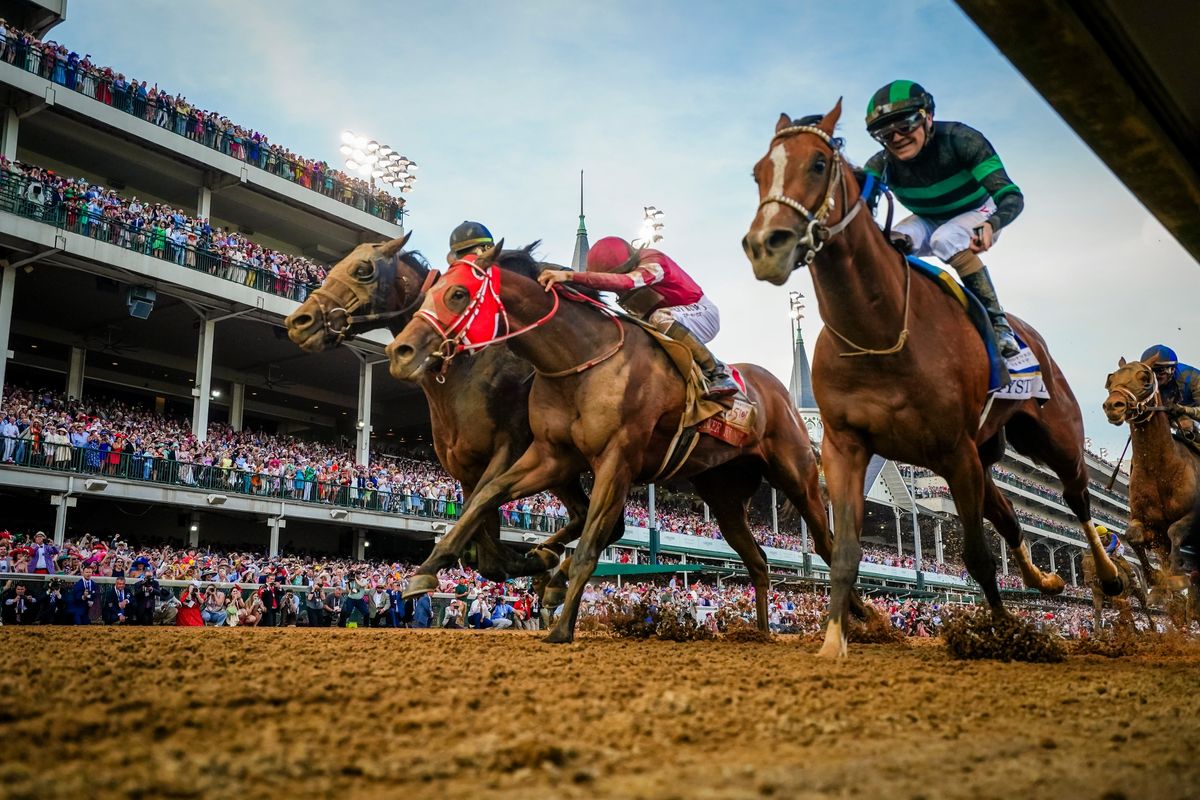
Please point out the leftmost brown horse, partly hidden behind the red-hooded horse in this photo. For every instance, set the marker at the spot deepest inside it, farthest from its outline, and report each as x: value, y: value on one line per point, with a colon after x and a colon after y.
x: 478, y: 407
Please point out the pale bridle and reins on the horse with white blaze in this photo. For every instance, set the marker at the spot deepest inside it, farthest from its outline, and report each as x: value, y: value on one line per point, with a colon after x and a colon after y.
x: 818, y: 232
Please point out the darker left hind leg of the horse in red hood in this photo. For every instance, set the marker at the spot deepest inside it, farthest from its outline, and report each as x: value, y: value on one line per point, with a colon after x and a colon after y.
x: 727, y: 491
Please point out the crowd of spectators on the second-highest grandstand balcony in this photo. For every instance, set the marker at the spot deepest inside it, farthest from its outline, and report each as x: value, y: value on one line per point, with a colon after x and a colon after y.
x: 154, y: 230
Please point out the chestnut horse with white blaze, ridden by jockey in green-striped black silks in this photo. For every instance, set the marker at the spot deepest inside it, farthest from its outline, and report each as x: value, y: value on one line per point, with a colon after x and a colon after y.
x: 899, y: 370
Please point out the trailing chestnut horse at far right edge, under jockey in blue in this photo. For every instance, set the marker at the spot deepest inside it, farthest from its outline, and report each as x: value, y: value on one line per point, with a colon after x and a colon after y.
x: 1165, y: 480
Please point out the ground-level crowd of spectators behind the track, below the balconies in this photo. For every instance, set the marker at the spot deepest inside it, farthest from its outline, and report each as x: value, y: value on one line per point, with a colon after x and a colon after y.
x: 250, y: 590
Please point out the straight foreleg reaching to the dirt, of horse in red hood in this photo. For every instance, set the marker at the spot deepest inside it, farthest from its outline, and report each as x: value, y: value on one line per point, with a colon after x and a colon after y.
x: 607, y: 508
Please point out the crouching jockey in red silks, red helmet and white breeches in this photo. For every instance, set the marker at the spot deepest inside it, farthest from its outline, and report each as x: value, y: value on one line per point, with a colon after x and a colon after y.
x: 650, y: 285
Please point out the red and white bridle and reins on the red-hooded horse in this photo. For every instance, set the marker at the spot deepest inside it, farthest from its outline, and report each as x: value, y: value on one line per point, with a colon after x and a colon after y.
x: 454, y: 333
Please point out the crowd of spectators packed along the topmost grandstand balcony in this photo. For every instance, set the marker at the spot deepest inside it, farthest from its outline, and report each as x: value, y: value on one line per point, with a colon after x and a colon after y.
x: 176, y: 113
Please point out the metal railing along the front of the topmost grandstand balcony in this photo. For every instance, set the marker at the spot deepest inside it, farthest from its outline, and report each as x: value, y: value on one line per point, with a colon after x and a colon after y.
x: 203, y: 129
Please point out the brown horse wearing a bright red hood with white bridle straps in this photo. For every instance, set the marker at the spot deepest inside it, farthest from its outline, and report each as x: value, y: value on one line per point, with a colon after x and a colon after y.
x: 605, y: 398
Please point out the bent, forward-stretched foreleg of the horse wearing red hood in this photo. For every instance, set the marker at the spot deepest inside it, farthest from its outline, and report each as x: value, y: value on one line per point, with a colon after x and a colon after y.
x: 535, y: 472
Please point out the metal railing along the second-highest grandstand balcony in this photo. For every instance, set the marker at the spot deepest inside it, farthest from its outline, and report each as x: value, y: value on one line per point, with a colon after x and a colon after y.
x: 154, y: 242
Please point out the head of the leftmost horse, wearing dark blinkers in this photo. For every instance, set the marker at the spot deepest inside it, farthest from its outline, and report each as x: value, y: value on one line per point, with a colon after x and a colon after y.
x: 375, y: 279
